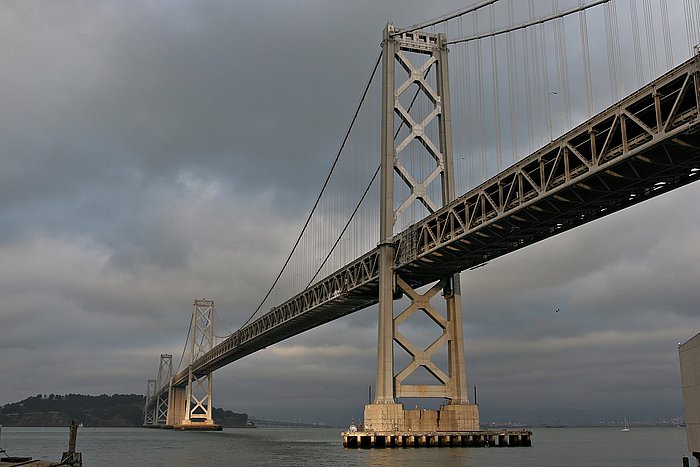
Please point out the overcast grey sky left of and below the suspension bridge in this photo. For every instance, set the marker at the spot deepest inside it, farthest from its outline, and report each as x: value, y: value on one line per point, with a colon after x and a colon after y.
x: 155, y: 152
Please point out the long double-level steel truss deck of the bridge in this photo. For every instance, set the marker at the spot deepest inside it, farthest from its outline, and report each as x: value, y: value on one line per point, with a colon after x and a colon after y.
x: 641, y: 147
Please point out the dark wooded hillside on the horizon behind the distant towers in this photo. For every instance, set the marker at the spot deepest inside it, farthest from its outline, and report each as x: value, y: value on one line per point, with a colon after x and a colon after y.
x: 118, y: 410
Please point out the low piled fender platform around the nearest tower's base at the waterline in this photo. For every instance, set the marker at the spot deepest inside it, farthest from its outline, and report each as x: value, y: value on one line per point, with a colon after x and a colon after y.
x: 485, y: 438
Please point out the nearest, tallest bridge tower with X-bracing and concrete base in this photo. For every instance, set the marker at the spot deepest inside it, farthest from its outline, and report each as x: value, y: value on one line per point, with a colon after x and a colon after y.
x: 385, y: 414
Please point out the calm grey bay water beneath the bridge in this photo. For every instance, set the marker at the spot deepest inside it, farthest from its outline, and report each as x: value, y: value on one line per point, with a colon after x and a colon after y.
x: 106, y: 447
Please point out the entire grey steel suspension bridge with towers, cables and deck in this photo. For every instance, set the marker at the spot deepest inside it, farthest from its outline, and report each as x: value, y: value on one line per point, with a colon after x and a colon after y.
x: 436, y: 137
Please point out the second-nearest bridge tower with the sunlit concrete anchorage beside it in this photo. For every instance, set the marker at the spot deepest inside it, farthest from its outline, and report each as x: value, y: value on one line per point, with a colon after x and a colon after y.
x: 191, y: 406
